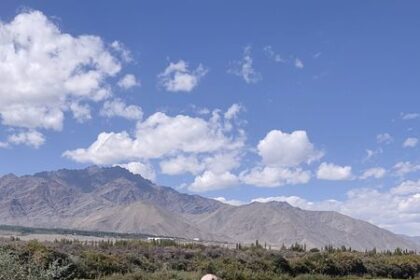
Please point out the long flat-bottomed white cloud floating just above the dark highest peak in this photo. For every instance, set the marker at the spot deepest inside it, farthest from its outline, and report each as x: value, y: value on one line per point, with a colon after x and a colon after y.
x: 161, y: 136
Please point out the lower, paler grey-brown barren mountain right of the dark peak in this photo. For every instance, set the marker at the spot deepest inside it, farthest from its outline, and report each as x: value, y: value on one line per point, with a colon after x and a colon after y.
x: 280, y: 223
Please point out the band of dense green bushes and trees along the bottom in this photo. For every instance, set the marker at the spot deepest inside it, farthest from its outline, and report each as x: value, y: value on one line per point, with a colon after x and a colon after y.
x: 166, y: 259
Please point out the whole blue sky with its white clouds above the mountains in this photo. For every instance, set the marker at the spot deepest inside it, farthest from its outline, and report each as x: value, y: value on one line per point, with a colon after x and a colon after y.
x: 323, y: 98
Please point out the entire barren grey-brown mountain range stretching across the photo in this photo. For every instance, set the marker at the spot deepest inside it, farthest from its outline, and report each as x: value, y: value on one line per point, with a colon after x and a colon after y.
x: 113, y: 199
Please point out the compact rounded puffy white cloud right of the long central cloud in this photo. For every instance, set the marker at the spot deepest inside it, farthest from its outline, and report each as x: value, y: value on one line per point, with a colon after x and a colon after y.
x: 283, y: 149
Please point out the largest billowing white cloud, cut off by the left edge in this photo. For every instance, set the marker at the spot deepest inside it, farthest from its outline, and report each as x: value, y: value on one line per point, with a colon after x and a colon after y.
x: 43, y: 71
